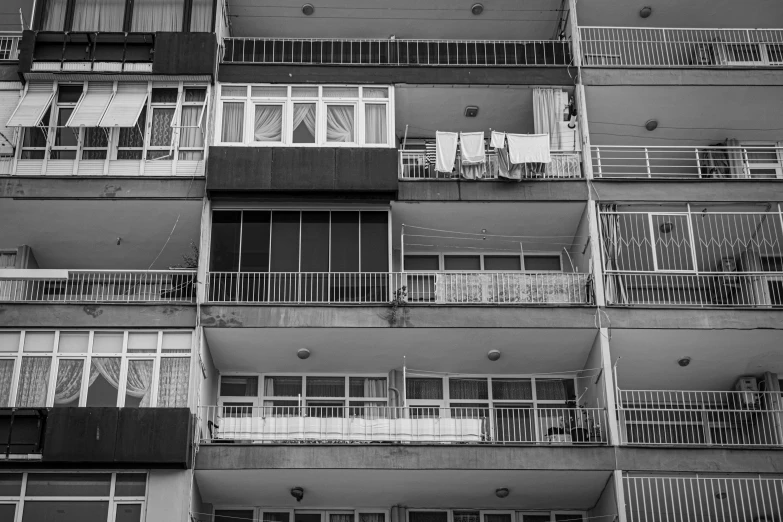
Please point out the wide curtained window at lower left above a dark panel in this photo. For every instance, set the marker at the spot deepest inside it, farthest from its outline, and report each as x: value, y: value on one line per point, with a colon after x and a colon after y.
x: 70, y: 368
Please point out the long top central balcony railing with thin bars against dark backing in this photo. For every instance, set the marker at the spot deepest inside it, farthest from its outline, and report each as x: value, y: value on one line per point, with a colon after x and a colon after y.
x: 355, y: 52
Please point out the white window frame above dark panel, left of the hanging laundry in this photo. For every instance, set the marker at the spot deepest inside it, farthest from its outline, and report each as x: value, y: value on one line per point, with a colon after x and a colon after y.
x: 321, y: 104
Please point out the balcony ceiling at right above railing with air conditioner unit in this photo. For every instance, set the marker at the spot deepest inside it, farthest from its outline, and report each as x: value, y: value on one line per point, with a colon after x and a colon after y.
x: 719, y: 357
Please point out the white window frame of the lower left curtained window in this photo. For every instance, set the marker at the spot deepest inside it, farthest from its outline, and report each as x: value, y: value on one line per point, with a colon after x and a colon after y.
x: 55, y: 356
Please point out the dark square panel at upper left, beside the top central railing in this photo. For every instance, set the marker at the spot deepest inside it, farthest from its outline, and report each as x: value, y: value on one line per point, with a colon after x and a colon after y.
x: 184, y: 53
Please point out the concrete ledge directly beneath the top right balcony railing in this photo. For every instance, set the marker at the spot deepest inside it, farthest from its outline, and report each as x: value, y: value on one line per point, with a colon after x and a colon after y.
x: 687, y: 76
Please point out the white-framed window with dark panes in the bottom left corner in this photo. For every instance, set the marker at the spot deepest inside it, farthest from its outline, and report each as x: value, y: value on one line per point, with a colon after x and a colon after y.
x: 74, y: 496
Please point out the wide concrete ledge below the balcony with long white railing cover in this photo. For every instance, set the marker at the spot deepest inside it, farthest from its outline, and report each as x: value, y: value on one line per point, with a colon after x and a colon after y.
x: 402, y: 457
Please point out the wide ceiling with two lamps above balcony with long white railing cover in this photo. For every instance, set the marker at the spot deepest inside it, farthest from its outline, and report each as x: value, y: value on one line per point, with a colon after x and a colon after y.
x: 347, y: 350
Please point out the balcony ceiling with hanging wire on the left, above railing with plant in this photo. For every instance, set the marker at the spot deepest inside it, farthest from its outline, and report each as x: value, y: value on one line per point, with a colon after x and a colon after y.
x: 75, y: 234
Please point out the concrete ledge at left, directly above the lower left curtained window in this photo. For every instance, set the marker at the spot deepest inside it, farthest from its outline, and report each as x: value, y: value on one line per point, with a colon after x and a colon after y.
x: 96, y: 315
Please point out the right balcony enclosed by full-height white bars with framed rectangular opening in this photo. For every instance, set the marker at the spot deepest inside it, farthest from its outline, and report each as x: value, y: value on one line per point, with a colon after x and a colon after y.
x: 693, y: 259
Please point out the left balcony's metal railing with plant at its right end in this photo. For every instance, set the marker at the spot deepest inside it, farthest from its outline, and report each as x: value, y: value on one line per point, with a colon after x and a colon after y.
x: 128, y: 286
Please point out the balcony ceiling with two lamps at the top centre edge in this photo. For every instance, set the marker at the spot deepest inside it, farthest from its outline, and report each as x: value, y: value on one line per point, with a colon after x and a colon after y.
x: 434, y: 19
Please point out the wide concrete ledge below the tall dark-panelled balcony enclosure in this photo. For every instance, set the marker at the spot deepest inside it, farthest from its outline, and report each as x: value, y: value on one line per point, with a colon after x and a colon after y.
x: 380, y: 316
